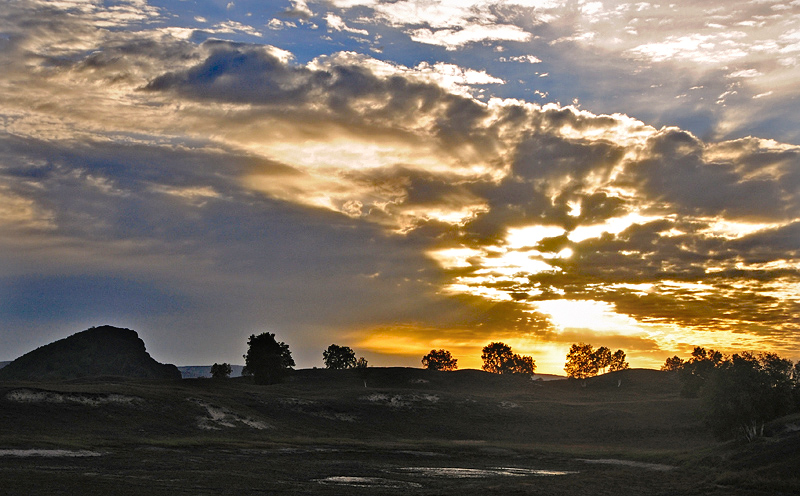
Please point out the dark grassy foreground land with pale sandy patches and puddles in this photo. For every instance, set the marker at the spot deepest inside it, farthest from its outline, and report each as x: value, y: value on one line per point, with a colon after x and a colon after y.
x: 408, y: 431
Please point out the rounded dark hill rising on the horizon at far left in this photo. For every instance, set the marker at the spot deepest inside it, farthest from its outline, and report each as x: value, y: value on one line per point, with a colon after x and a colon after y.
x: 95, y: 352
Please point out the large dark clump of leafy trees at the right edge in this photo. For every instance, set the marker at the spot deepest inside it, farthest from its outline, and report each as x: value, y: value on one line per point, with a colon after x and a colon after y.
x: 740, y: 393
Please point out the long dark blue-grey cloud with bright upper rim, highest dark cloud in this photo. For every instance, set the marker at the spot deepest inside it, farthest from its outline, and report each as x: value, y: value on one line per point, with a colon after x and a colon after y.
x: 346, y: 94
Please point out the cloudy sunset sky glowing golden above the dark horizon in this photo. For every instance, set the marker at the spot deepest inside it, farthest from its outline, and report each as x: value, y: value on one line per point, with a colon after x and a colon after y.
x: 400, y: 176
